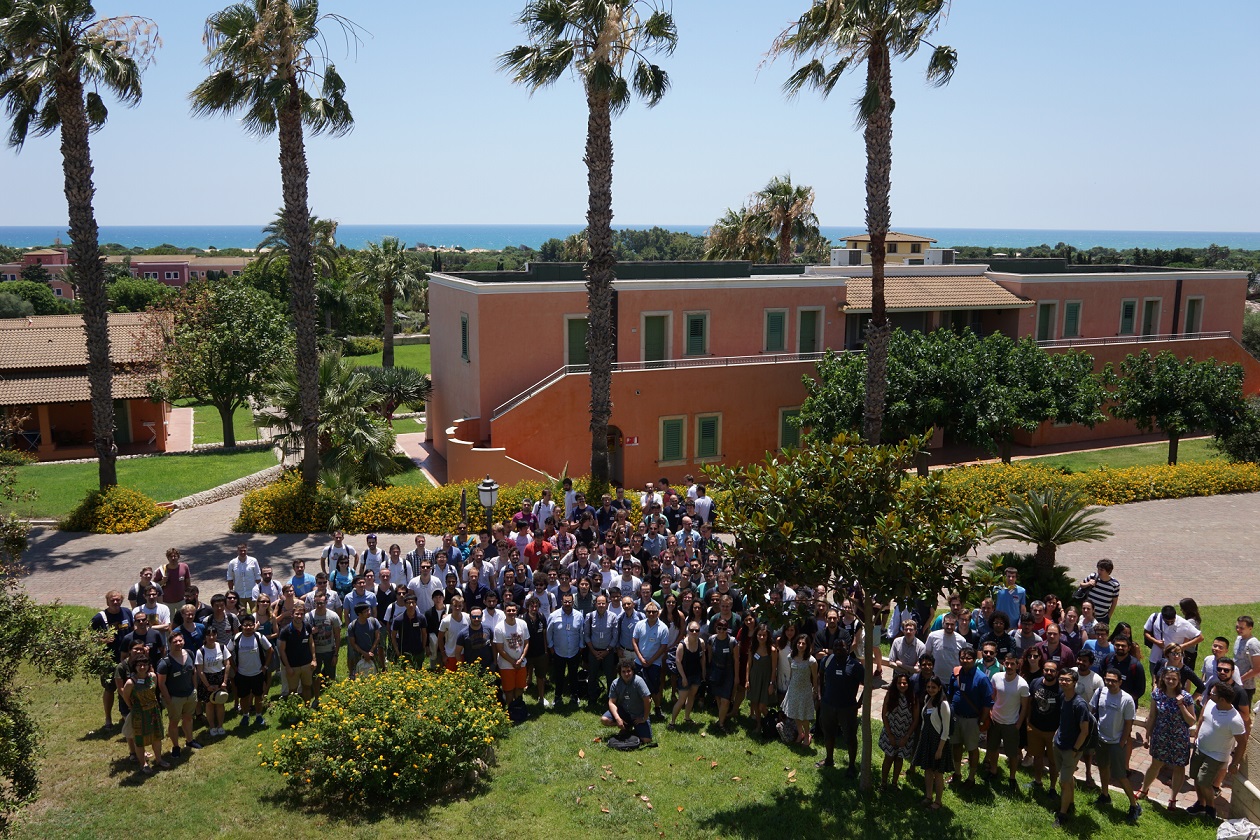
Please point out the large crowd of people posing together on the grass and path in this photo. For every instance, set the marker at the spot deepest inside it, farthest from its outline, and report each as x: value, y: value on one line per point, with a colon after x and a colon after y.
x: 574, y: 604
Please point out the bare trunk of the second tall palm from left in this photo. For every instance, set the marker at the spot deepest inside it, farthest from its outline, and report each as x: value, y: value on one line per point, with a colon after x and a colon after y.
x: 294, y: 176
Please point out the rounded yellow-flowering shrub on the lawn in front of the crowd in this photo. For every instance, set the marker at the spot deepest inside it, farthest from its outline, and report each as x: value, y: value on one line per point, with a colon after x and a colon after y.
x: 392, y: 735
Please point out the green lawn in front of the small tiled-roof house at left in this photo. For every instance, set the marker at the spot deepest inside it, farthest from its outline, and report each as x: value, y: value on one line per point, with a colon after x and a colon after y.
x: 62, y: 487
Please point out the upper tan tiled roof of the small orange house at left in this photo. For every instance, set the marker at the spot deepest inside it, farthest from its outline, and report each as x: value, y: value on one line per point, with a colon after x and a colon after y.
x: 59, y: 342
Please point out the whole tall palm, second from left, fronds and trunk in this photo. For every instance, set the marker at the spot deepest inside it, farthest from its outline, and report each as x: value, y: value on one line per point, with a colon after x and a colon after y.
x: 266, y: 61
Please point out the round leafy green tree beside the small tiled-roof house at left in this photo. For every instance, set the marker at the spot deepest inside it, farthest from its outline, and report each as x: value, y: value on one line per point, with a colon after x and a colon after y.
x: 220, y: 346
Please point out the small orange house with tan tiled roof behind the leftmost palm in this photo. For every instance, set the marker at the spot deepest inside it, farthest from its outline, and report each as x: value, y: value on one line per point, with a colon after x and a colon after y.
x: 43, y: 378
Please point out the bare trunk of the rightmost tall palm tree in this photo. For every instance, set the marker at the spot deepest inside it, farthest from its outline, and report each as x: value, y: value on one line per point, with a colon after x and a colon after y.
x: 879, y: 183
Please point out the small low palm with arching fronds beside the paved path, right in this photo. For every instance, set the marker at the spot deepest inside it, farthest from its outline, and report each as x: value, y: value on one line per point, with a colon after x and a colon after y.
x: 1049, y: 519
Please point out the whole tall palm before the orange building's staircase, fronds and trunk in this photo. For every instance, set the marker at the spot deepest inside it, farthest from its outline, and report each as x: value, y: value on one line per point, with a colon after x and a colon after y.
x: 600, y: 41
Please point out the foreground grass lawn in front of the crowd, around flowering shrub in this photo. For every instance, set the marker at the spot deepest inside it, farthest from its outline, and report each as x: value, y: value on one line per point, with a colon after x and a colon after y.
x: 699, y: 785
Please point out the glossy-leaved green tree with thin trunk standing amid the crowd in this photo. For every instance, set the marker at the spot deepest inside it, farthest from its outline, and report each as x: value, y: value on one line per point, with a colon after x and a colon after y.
x: 841, y: 513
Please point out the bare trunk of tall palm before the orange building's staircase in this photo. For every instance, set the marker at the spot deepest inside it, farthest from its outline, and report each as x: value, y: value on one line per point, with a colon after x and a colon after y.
x: 599, y: 279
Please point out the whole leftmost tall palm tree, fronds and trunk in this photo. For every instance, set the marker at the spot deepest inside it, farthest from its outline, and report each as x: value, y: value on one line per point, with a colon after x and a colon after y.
x: 56, y: 60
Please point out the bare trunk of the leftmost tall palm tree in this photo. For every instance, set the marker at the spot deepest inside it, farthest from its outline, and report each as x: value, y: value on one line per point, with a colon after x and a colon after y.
x: 89, y: 269
